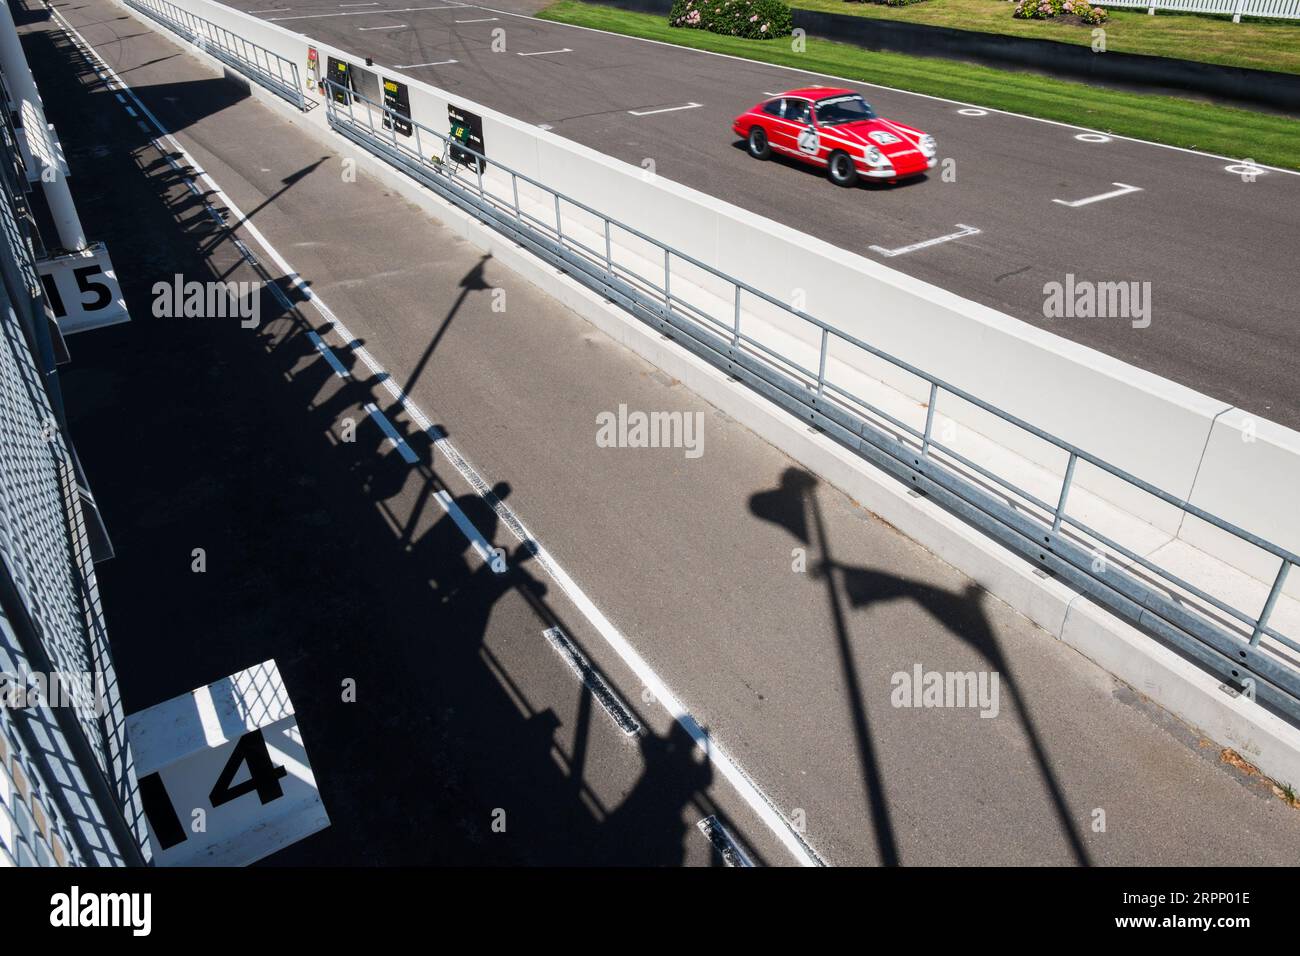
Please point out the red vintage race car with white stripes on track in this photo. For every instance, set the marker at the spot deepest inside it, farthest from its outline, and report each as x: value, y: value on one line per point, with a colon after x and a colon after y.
x: 838, y: 131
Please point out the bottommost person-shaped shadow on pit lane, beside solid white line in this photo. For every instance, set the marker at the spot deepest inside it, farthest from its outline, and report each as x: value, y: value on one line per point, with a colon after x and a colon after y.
x: 651, y: 825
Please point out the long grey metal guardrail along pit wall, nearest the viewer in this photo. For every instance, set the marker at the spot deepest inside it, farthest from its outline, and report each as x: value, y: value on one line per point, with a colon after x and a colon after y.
x: 1241, y: 648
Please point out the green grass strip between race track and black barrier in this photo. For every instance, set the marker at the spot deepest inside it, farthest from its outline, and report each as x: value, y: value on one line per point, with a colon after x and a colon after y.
x: 1225, y: 131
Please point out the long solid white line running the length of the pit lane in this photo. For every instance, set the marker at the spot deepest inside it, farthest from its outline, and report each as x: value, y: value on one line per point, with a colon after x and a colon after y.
x: 740, y: 781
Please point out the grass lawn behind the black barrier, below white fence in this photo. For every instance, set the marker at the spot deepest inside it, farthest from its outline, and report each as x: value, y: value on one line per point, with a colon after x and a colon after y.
x: 1259, y: 45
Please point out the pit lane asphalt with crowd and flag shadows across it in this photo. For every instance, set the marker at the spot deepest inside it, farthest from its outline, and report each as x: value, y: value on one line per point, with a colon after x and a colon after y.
x: 332, y: 559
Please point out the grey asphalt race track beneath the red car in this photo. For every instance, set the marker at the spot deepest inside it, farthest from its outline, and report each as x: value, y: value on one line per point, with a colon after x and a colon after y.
x: 1217, y: 250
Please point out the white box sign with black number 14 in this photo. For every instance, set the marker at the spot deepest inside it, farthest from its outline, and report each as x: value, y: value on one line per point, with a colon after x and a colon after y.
x: 224, y: 775
